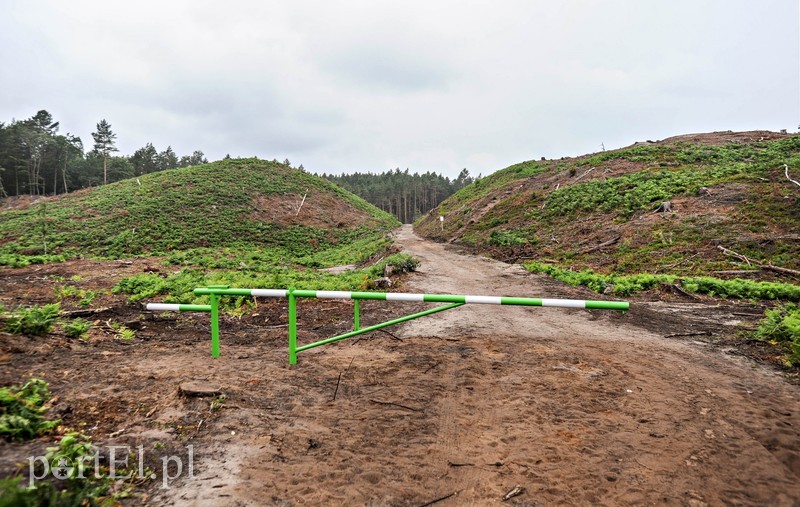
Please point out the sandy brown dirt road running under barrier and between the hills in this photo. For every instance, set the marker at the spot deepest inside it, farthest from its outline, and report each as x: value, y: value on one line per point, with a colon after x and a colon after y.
x: 577, y: 407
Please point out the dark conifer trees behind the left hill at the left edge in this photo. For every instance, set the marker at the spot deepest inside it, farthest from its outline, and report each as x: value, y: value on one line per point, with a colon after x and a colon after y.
x: 36, y: 160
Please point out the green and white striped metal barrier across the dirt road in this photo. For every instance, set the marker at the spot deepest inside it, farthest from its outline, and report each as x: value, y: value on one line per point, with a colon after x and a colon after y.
x: 216, y: 292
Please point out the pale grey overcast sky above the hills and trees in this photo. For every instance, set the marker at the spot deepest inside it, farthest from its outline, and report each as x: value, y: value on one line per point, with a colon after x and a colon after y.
x: 425, y: 85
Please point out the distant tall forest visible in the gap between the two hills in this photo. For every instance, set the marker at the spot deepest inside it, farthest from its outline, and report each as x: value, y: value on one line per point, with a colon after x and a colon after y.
x: 405, y: 195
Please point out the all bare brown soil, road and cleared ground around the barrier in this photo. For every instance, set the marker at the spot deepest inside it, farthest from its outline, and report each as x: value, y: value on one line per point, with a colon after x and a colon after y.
x: 657, y: 406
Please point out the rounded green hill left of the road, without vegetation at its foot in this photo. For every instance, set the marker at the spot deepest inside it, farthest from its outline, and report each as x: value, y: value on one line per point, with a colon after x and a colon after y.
x: 234, y: 207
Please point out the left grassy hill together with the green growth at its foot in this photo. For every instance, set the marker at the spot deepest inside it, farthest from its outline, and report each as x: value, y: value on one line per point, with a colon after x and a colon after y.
x: 233, y: 222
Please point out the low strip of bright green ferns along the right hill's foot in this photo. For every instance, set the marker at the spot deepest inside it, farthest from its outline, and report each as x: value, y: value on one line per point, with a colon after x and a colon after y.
x: 625, y: 285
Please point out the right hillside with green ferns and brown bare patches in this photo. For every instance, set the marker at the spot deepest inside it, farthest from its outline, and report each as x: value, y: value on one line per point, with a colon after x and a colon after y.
x: 597, y: 212
